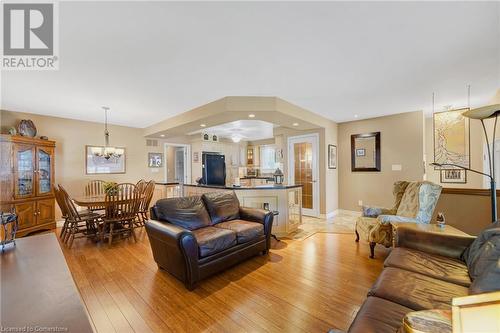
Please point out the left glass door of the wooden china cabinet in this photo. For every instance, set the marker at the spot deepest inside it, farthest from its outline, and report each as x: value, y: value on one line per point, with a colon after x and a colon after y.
x: 24, y: 171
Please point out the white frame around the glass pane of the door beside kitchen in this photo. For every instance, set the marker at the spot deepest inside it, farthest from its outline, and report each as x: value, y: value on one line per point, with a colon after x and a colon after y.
x: 314, y: 138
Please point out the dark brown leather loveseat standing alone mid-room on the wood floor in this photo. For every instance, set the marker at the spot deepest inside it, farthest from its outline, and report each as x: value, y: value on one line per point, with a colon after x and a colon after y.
x: 195, y: 237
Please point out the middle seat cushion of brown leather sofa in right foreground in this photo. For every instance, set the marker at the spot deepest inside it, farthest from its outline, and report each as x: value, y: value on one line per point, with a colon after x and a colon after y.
x: 415, y: 291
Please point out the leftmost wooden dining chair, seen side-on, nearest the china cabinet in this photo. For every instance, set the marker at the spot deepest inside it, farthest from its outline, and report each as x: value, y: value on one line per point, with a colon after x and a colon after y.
x: 79, y: 225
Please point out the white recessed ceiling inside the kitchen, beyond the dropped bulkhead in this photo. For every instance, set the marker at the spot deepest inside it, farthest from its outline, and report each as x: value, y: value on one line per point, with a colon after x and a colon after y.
x: 246, y: 130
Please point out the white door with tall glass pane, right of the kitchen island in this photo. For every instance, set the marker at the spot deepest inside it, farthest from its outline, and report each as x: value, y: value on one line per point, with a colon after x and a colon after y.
x: 303, y: 168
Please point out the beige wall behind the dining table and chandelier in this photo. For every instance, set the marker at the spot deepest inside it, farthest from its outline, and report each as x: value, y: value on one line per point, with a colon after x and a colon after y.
x: 71, y: 136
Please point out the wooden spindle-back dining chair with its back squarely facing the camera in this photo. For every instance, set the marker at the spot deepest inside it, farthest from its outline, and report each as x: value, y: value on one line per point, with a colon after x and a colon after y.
x: 120, y: 212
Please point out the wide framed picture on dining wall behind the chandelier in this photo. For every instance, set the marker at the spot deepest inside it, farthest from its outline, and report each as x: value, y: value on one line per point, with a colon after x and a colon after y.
x: 96, y: 163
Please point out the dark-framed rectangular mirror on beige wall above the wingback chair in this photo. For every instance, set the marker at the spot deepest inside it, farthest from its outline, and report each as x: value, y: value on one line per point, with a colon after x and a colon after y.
x: 365, y: 152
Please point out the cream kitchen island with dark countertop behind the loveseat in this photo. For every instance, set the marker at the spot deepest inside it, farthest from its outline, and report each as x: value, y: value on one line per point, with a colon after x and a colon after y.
x: 286, y: 200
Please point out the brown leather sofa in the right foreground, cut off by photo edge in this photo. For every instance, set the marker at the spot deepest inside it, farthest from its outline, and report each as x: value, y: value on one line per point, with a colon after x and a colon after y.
x: 425, y: 271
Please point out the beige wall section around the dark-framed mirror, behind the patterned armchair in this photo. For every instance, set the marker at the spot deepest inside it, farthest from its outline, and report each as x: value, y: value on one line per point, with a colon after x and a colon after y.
x: 402, y: 137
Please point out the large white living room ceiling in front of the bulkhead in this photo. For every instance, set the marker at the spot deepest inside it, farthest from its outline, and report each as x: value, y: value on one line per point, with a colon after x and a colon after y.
x: 152, y: 60
